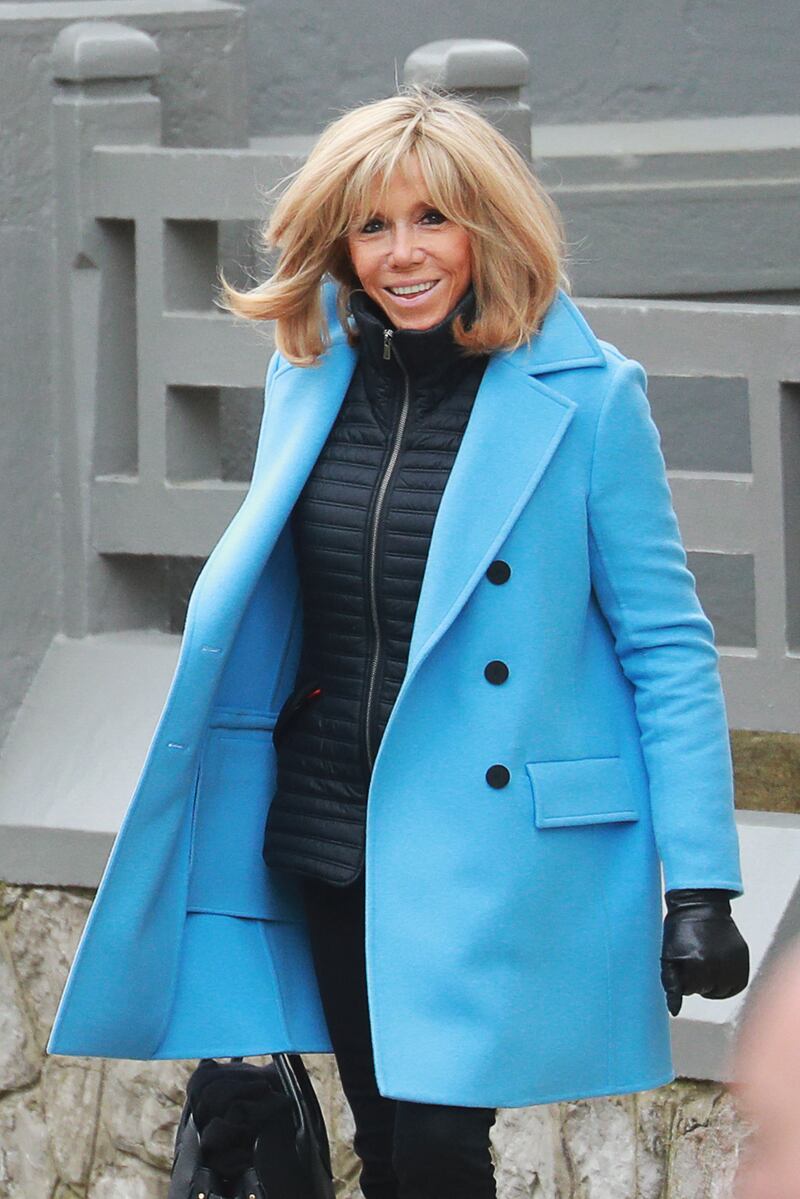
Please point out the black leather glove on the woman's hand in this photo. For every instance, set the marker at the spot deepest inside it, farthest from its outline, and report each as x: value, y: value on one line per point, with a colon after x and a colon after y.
x: 702, y: 951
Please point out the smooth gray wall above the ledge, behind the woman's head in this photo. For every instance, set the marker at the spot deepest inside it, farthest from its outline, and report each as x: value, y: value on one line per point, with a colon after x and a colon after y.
x: 618, y: 61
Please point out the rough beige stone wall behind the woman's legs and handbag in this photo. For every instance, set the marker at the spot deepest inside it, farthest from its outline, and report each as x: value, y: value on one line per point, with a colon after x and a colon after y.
x: 91, y: 1129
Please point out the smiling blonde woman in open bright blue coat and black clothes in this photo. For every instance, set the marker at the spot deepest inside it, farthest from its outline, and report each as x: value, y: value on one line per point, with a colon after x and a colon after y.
x: 456, y: 591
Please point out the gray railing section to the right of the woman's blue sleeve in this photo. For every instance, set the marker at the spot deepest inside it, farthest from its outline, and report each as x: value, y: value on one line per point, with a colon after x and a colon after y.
x: 741, y: 520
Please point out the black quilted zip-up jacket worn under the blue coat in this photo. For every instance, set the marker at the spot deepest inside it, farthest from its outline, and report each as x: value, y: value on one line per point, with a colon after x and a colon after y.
x: 362, y: 531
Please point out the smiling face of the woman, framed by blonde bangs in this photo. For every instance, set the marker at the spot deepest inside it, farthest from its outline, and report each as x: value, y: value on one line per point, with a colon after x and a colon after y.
x: 411, y: 260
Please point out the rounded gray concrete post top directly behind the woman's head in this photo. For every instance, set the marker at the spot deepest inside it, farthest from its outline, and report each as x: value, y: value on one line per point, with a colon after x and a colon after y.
x: 488, y: 73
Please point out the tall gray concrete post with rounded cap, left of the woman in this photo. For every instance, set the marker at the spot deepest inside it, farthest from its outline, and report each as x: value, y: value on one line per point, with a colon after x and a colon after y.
x: 104, y: 73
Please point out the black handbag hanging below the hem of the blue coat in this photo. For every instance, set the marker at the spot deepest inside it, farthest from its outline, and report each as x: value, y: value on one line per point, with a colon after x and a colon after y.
x: 291, y: 1155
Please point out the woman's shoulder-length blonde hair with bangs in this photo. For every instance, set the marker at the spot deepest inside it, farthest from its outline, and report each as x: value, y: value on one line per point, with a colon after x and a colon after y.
x: 476, y: 178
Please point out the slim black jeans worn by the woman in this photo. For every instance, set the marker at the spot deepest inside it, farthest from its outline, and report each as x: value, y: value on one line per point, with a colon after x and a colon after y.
x: 408, y: 1150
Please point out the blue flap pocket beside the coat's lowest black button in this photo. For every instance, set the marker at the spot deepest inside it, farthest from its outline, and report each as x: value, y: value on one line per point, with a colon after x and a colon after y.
x: 582, y: 791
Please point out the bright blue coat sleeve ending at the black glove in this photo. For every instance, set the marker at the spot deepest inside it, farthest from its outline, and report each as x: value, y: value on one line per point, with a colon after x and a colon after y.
x: 664, y: 641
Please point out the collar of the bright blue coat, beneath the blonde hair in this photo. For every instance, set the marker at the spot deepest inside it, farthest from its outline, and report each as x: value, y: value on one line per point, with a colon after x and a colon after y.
x: 564, y: 340
